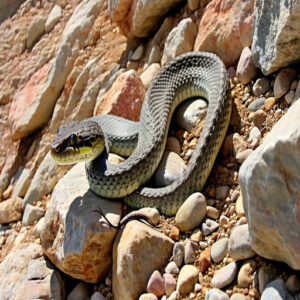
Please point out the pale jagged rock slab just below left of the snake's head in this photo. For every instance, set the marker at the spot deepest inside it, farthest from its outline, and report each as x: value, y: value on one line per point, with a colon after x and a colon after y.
x: 43, y: 181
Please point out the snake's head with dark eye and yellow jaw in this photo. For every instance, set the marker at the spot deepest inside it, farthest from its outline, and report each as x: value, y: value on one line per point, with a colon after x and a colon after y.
x: 77, y: 141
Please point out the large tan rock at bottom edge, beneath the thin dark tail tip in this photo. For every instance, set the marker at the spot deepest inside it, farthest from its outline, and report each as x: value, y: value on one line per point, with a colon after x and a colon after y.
x: 135, y: 242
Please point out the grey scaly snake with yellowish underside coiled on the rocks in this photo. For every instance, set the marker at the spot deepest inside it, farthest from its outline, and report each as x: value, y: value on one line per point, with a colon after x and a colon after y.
x: 190, y: 75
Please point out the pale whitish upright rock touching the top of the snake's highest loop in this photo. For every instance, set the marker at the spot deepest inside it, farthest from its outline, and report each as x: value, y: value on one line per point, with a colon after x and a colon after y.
x: 180, y: 40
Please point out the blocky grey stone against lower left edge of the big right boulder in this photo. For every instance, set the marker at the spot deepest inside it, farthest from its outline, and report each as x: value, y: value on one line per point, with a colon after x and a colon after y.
x: 239, y: 246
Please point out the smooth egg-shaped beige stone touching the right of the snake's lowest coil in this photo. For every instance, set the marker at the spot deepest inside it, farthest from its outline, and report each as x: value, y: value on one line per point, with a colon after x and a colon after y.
x: 191, y: 213
